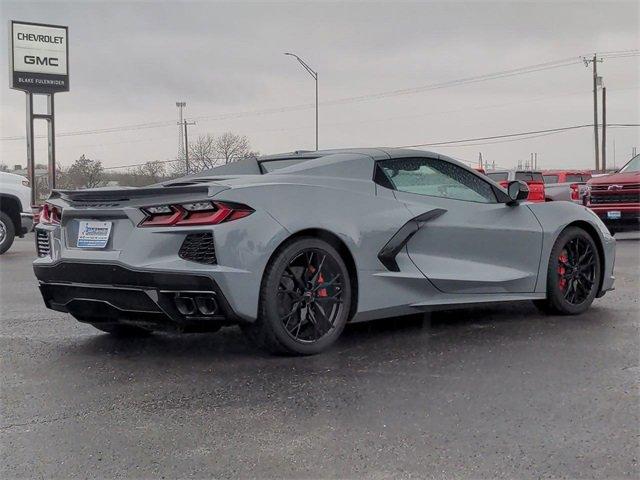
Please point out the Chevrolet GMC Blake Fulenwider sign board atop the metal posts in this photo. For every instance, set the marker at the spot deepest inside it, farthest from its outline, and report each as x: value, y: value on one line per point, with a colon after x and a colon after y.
x: 39, y: 57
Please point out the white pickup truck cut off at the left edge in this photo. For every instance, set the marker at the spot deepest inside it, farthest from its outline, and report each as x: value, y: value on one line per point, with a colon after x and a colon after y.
x: 16, y: 217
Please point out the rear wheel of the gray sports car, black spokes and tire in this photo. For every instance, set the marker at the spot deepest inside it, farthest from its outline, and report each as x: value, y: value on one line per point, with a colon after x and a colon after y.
x: 289, y: 286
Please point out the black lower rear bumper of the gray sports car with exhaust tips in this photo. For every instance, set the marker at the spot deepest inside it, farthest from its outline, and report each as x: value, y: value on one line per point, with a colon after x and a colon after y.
x: 109, y: 292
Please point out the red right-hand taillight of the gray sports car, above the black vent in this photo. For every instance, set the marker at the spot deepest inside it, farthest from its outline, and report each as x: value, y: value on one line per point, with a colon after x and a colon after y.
x: 195, y: 213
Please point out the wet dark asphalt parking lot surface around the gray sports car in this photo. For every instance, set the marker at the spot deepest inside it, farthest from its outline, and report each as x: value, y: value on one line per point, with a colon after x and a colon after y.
x: 500, y: 391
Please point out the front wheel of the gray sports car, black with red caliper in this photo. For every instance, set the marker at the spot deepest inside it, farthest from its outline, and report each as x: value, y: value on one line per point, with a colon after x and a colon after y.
x: 573, y: 275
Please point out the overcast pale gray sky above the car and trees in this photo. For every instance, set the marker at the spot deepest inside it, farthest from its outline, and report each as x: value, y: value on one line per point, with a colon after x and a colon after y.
x: 130, y: 62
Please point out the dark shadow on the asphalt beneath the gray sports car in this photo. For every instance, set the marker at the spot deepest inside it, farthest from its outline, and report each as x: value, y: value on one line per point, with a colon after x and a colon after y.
x: 389, y: 334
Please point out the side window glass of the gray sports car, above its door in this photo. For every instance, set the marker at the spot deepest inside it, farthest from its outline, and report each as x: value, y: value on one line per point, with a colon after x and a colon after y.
x: 437, y: 178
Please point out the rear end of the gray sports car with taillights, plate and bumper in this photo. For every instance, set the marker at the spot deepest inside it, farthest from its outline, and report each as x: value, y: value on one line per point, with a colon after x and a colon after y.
x: 176, y: 258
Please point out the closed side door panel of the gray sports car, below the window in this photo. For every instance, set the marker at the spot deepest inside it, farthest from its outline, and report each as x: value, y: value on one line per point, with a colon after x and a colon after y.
x: 464, y: 250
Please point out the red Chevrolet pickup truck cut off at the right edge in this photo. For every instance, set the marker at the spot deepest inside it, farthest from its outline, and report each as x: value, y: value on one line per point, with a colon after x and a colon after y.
x: 615, y: 198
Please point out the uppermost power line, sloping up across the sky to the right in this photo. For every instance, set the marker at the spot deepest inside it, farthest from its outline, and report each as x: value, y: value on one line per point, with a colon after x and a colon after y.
x: 355, y: 99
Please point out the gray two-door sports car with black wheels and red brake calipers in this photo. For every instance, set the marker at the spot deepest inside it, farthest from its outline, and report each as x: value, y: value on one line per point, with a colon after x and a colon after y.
x: 292, y: 247
